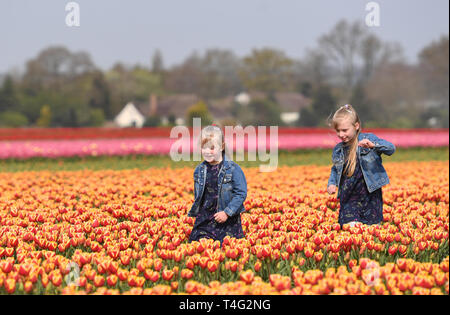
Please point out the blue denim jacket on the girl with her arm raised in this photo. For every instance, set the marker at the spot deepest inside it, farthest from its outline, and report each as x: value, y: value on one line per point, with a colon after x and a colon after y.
x: 373, y: 171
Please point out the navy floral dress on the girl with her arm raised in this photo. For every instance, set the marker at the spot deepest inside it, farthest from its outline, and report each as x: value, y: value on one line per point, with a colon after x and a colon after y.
x: 357, y: 204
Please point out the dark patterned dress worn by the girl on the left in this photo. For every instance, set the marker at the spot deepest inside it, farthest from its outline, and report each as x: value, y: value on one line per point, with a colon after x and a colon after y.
x: 205, y: 226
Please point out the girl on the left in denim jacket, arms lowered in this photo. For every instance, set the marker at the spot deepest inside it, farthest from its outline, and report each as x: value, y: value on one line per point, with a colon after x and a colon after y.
x: 220, y: 189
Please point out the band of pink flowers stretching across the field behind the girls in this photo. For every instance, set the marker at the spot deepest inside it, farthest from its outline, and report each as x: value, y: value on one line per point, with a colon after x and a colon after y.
x: 159, y: 145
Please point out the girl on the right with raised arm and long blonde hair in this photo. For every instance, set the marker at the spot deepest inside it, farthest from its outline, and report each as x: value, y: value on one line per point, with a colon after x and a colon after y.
x: 357, y: 173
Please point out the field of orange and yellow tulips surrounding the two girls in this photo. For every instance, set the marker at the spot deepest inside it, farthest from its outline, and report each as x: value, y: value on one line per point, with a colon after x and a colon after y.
x: 126, y: 231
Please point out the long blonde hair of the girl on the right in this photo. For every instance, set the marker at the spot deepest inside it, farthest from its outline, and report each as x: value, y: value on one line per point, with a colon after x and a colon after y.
x: 348, y: 112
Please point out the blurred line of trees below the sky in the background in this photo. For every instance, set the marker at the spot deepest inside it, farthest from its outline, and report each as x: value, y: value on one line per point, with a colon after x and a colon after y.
x: 349, y: 64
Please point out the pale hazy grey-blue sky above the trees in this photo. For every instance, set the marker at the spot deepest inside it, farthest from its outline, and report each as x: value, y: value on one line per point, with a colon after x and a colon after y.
x: 130, y: 31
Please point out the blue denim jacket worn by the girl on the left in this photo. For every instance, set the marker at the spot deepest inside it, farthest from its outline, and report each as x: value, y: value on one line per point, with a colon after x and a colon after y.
x: 232, y: 188
